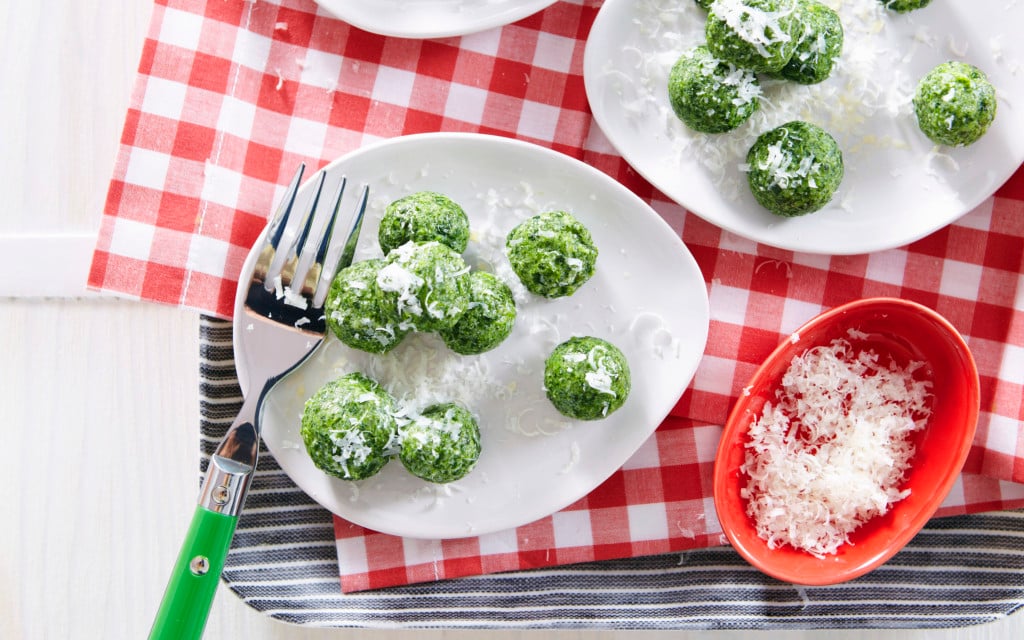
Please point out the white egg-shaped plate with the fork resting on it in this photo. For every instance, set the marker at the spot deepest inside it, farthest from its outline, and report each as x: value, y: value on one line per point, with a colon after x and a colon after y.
x: 648, y: 296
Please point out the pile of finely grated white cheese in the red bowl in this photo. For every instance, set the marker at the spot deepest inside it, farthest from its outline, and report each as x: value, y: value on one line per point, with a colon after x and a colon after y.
x: 834, y: 451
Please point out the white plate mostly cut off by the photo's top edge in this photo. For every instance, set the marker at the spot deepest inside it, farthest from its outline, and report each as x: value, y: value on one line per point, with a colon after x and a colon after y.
x: 432, y: 19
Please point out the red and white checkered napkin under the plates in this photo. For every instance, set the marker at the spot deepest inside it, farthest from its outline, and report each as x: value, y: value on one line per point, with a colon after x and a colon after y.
x: 233, y: 95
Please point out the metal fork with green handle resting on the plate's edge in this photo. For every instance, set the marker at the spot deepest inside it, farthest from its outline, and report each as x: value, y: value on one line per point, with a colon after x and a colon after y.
x: 284, y: 323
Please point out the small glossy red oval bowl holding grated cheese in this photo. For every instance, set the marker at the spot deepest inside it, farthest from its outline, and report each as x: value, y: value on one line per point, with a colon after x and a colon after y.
x: 908, y: 331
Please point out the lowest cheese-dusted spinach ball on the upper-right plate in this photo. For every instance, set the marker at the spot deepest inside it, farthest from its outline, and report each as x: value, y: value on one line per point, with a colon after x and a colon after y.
x: 795, y: 169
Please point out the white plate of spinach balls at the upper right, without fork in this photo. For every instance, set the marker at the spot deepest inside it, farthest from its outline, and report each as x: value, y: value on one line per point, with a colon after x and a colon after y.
x: 899, y: 187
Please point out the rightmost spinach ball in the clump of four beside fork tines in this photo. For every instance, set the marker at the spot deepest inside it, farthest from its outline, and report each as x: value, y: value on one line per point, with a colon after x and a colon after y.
x: 489, y: 319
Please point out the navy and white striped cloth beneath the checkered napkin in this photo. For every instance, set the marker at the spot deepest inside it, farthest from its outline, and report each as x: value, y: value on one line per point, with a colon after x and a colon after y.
x: 958, y: 572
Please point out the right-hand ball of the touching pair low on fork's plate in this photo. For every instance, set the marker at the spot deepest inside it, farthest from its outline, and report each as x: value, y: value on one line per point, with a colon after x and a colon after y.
x: 442, y: 445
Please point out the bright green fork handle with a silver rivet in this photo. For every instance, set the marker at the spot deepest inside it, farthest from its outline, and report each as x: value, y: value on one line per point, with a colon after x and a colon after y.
x: 190, y: 593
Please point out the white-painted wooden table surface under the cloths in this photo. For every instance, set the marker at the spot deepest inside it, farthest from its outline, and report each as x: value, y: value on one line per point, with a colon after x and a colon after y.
x: 99, y: 398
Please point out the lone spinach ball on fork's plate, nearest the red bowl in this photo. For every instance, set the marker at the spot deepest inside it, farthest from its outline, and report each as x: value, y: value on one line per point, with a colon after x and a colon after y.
x: 587, y: 378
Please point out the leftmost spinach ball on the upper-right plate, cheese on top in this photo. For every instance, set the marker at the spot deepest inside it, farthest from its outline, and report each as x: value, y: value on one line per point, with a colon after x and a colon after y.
x: 710, y: 96
